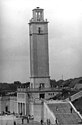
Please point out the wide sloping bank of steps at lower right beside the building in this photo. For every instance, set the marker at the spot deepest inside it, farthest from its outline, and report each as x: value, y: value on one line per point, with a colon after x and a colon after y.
x: 63, y: 114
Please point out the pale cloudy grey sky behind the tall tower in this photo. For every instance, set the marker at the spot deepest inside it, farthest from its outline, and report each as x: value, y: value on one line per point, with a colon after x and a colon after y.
x: 65, y: 38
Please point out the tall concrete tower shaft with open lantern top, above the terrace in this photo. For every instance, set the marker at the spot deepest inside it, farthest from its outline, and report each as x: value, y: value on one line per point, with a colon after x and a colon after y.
x: 39, y: 57
